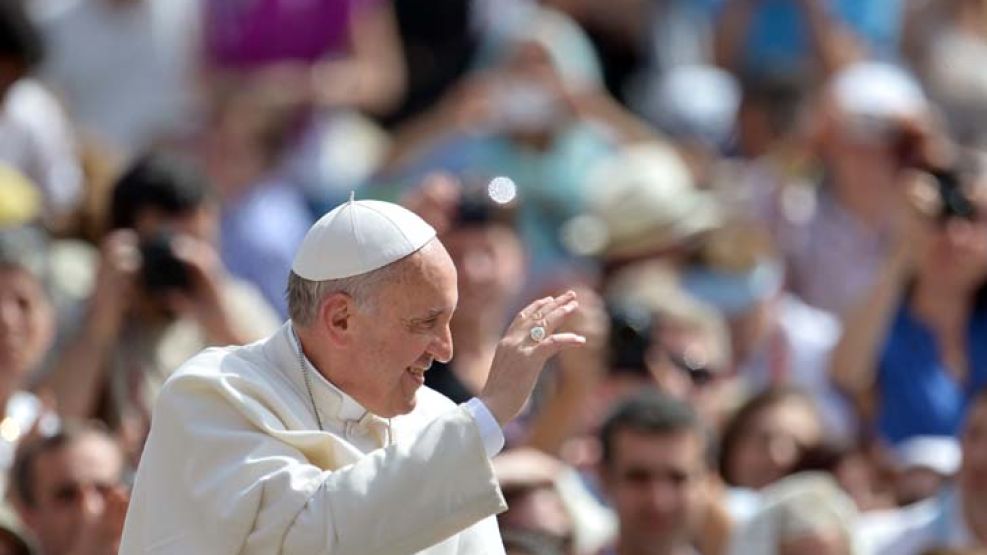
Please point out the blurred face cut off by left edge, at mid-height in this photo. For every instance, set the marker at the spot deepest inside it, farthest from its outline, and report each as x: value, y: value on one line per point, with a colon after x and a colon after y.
x: 27, y: 324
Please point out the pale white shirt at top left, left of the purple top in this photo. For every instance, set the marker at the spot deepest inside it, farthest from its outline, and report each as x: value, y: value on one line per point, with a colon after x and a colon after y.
x: 125, y: 70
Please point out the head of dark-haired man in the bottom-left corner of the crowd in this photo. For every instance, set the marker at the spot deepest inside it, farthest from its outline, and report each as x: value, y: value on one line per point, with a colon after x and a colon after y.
x: 70, y: 492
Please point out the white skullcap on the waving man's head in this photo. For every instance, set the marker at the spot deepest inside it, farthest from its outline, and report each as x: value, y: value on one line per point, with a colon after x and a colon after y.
x: 357, y: 237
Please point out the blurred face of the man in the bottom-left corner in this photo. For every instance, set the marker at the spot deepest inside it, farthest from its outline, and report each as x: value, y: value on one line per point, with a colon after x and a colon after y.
x: 72, y: 483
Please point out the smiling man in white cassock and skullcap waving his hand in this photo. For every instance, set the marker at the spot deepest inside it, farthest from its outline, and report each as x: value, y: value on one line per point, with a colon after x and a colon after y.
x: 321, y: 438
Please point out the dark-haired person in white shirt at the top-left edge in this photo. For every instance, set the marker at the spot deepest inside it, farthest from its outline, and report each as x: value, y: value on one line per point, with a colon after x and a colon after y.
x: 35, y: 135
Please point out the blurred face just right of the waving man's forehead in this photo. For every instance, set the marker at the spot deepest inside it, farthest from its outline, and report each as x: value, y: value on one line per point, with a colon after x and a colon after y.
x: 490, y: 264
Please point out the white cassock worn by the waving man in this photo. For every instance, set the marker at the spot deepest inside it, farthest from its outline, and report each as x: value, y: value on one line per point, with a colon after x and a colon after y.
x: 235, y: 463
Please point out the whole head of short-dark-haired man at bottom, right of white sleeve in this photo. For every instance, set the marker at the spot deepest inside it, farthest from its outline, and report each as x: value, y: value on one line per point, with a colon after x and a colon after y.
x: 654, y: 471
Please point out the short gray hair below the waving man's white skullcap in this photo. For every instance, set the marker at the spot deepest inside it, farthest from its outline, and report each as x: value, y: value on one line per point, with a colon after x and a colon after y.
x: 305, y: 296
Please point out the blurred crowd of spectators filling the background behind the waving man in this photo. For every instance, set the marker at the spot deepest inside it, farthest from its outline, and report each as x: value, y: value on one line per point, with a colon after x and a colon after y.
x: 774, y: 211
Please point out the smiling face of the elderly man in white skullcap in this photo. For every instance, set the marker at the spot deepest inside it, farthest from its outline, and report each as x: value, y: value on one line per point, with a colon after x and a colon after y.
x: 405, y: 332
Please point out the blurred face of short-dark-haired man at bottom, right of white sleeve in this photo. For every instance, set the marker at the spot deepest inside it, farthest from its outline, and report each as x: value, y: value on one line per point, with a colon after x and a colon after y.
x: 656, y: 483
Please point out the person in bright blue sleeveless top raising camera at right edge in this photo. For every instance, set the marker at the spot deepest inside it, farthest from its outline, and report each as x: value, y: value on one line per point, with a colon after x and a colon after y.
x: 915, y: 350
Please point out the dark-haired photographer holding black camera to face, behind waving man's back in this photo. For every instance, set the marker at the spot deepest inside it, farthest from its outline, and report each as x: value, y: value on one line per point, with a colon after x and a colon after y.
x: 160, y: 295
